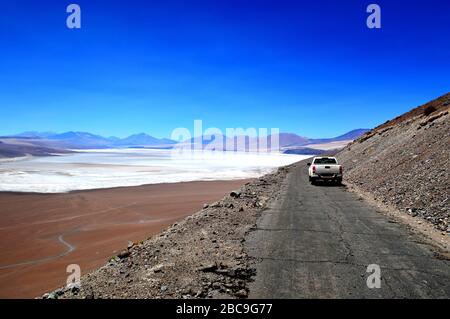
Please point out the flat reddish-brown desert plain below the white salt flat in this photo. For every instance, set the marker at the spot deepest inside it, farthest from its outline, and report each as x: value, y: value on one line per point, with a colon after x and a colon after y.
x: 41, y: 234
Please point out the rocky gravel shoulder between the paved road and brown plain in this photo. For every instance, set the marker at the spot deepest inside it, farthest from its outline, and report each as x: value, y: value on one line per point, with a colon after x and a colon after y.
x: 202, y: 256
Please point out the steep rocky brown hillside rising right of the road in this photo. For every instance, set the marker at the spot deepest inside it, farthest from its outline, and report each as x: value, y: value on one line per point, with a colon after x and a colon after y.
x: 405, y: 162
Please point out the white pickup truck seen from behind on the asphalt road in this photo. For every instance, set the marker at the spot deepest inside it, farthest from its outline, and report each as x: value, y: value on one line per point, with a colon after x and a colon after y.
x: 325, y: 169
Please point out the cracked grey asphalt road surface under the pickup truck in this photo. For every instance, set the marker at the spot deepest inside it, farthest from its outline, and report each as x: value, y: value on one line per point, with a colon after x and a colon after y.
x: 317, y: 242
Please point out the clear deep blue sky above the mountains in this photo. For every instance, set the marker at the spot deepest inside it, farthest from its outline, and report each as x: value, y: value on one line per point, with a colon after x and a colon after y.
x: 308, y: 67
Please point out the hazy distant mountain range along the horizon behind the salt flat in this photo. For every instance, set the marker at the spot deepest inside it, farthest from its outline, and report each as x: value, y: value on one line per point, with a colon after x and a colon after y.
x: 46, y: 142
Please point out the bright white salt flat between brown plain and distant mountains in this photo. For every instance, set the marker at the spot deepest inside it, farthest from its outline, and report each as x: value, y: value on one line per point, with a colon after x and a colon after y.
x: 93, y: 169
